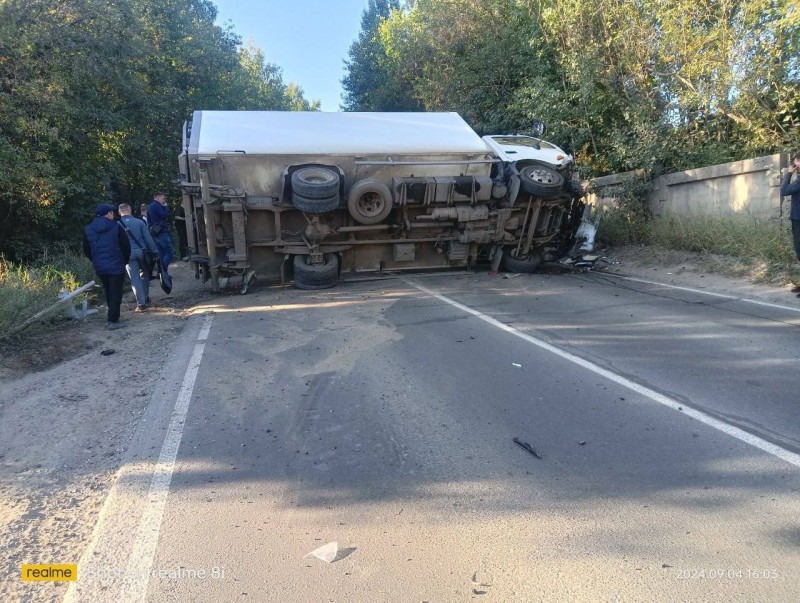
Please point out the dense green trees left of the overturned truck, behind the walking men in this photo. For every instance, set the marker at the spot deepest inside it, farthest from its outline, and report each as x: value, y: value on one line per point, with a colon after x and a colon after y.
x: 92, y: 98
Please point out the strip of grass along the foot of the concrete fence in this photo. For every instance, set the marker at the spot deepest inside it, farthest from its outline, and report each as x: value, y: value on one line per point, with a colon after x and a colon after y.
x: 737, y: 245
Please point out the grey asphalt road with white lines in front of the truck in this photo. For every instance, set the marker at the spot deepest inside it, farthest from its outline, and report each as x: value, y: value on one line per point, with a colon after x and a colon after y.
x: 381, y: 415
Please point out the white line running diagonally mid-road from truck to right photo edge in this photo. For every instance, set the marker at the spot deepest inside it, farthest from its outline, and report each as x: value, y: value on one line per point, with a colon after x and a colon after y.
x: 744, y: 436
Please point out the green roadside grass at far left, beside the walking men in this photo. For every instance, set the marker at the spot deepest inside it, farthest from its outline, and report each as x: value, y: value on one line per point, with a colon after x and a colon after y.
x: 26, y: 290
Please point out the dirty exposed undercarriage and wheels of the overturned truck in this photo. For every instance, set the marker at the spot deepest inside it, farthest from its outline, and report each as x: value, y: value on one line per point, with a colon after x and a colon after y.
x: 316, y: 218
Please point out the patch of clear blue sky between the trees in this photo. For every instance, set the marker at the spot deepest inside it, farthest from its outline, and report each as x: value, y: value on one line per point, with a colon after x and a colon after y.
x: 307, y: 39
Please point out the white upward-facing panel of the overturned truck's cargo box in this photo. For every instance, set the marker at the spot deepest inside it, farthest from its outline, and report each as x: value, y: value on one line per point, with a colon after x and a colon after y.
x: 314, y: 132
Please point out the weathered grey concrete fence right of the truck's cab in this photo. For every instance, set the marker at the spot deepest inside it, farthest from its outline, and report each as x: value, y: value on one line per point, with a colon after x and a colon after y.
x: 750, y: 187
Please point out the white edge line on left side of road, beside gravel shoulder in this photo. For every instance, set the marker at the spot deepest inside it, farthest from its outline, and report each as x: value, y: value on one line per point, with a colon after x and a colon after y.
x: 144, y: 547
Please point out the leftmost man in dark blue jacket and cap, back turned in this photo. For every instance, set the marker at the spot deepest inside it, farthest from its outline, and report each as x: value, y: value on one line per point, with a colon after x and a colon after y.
x: 107, y: 245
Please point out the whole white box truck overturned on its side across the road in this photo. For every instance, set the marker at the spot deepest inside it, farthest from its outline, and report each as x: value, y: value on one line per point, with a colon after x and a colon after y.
x: 313, y: 197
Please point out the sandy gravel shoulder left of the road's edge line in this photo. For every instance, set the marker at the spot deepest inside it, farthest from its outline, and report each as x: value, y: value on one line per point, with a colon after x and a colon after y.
x: 71, y: 396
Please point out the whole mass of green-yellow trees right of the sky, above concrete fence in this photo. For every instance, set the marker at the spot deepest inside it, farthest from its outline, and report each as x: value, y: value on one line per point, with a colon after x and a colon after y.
x: 653, y: 85
